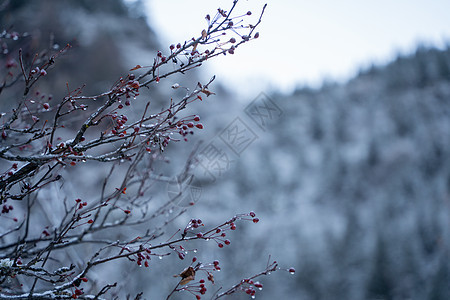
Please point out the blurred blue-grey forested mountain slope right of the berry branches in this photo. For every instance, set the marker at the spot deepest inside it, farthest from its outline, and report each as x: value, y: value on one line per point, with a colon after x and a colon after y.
x: 352, y: 184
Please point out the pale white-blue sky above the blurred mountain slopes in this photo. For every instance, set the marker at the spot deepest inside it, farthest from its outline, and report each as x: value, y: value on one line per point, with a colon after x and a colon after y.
x: 304, y: 41
